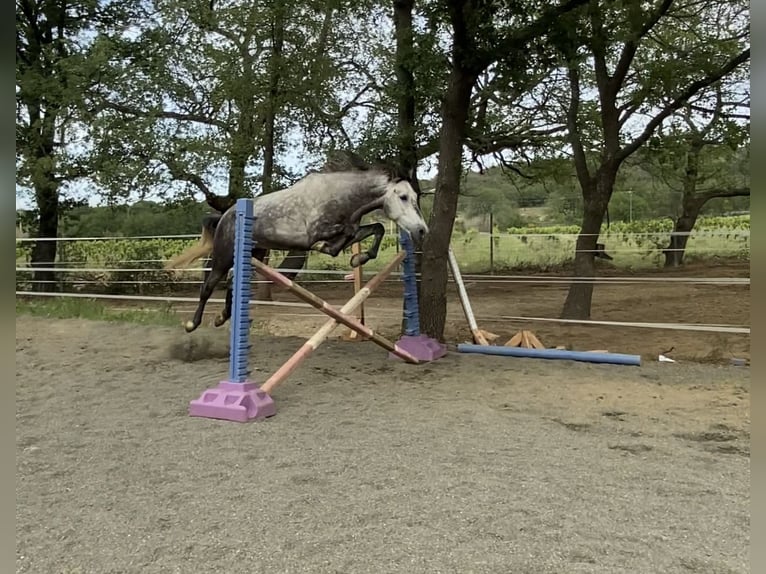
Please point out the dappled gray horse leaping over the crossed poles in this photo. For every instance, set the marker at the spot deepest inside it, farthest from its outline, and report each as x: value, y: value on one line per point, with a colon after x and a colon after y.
x: 320, y: 212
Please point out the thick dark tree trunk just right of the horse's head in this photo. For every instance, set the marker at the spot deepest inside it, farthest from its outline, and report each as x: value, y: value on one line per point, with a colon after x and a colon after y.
x: 433, y: 304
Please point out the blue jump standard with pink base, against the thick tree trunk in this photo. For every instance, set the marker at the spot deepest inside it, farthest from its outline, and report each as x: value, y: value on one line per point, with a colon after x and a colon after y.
x: 417, y: 344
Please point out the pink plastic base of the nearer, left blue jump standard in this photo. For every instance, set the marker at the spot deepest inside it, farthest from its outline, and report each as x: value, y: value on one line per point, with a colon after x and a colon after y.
x: 239, y: 402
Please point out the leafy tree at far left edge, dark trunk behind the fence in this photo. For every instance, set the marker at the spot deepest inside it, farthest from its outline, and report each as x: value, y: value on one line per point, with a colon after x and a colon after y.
x: 55, y: 65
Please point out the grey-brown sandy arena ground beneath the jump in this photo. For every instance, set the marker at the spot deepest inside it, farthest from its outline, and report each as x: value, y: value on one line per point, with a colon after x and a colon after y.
x: 470, y: 464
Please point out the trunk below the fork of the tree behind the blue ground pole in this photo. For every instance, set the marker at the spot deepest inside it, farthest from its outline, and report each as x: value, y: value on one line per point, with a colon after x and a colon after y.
x: 580, y: 295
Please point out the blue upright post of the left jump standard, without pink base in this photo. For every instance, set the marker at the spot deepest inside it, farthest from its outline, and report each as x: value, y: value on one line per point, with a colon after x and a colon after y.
x: 243, y: 271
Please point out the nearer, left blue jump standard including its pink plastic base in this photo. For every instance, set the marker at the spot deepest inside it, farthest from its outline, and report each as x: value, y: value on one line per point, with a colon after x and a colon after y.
x: 238, y: 398
